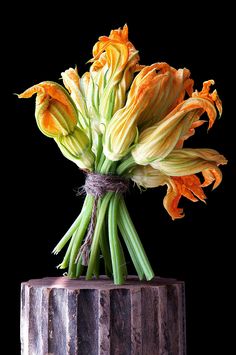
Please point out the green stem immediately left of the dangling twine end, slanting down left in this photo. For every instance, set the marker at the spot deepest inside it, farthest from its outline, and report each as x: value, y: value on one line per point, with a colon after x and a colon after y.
x: 80, y: 235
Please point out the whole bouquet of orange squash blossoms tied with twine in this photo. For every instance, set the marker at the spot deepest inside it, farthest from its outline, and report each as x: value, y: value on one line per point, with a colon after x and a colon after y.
x: 124, y: 121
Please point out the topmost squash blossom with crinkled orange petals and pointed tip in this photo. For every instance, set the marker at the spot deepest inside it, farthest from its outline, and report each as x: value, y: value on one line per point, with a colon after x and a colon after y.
x: 114, y: 63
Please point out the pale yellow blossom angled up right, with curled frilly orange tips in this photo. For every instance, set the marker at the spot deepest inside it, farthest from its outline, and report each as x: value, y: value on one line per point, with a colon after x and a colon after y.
x: 157, y: 141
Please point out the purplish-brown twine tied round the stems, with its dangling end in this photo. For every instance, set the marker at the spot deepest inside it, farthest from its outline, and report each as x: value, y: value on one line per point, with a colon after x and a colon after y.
x: 97, y: 185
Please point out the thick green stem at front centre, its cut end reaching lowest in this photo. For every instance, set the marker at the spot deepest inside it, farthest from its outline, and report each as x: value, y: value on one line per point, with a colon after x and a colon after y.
x: 116, y: 255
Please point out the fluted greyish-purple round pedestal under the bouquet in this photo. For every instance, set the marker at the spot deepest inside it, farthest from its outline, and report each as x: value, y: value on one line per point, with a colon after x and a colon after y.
x: 76, y: 317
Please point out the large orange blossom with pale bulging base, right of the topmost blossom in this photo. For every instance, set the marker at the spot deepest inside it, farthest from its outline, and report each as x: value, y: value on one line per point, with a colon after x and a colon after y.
x: 153, y: 93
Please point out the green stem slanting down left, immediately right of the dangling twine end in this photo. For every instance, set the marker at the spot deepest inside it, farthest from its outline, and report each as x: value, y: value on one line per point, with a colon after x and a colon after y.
x: 96, y: 236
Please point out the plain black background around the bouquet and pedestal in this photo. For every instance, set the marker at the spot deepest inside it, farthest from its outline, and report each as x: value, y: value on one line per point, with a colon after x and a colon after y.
x: 40, y: 184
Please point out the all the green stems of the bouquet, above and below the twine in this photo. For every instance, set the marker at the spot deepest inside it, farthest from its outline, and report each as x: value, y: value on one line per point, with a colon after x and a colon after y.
x: 113, y: 221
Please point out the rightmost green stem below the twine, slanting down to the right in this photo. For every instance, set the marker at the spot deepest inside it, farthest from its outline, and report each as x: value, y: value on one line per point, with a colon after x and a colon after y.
x: 135, y: 241
